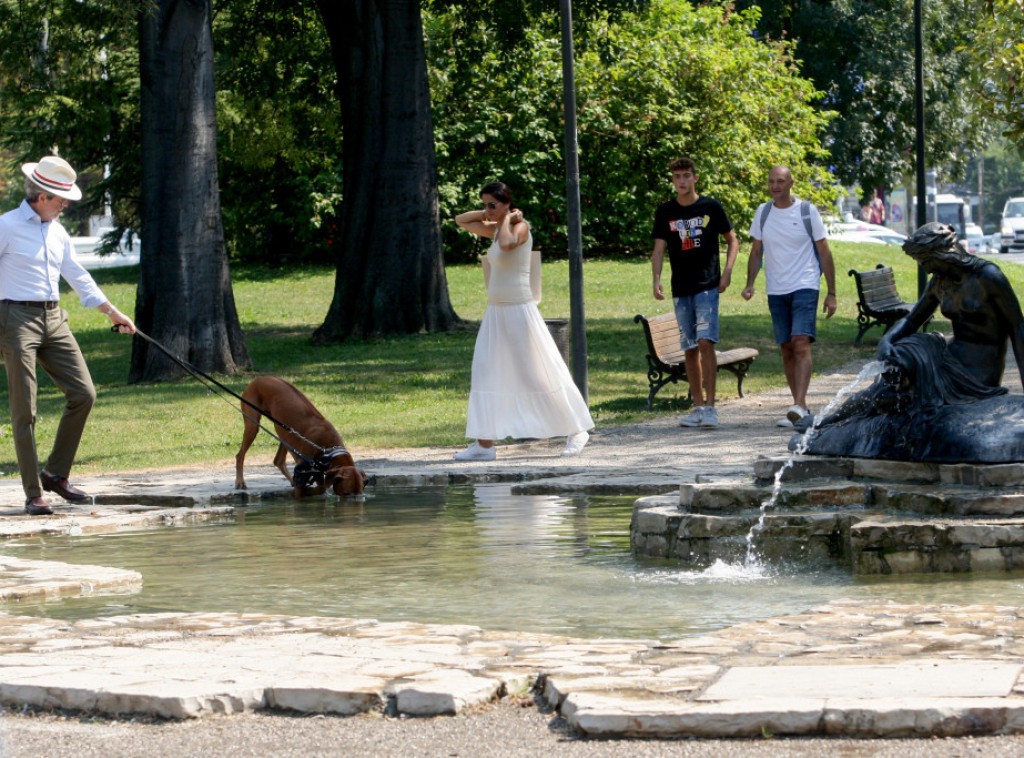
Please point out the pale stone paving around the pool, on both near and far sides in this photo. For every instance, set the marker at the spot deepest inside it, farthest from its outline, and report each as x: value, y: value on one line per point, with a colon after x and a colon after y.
x: 852, y: 668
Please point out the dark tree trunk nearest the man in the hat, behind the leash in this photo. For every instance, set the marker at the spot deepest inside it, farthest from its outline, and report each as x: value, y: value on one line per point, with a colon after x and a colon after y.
x: 185, y: 299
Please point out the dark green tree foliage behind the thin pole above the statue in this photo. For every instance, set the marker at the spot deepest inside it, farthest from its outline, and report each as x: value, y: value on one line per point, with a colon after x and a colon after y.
x: 861, y: 55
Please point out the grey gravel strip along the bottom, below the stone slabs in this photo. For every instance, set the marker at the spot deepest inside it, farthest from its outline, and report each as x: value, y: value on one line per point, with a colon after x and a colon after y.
x: 508, y: 729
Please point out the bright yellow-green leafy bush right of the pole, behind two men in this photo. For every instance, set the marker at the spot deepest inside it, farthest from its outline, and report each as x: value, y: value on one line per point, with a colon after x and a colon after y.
x: 677, y: 81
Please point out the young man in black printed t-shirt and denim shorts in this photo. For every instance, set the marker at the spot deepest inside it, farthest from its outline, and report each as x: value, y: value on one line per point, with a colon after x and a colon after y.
x: 689, y: 227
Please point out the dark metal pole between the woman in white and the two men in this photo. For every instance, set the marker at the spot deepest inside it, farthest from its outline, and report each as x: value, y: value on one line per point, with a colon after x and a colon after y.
x: 578, y: 325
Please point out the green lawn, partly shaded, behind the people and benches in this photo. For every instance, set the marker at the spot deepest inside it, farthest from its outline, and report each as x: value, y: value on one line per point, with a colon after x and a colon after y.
x: 411, y: 391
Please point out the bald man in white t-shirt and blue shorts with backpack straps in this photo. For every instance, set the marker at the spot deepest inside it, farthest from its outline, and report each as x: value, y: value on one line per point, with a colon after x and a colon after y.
x: 791, y: 239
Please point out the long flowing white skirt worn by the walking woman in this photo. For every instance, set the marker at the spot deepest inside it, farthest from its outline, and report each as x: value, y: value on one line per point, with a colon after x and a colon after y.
x: 522, y: 387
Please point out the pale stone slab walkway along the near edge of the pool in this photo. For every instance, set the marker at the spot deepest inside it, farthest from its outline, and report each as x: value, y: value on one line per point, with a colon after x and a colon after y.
x: 845, y: 669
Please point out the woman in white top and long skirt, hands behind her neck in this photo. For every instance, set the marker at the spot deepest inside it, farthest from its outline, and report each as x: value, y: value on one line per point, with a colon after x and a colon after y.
x: 521, y: 385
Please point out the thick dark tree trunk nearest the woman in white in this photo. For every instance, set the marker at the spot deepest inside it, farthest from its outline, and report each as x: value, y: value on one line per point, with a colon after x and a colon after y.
x: 391, y: 277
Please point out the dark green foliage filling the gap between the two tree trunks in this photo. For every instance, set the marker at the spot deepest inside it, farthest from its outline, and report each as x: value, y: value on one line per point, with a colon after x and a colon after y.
x: 280, y: 132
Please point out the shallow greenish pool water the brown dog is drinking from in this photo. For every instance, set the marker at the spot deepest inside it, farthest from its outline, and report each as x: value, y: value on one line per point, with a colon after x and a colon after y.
x: 468, y: 555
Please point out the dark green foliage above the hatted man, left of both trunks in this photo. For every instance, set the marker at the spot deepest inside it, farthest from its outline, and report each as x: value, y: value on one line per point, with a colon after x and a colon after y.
x: 70, y: 74
